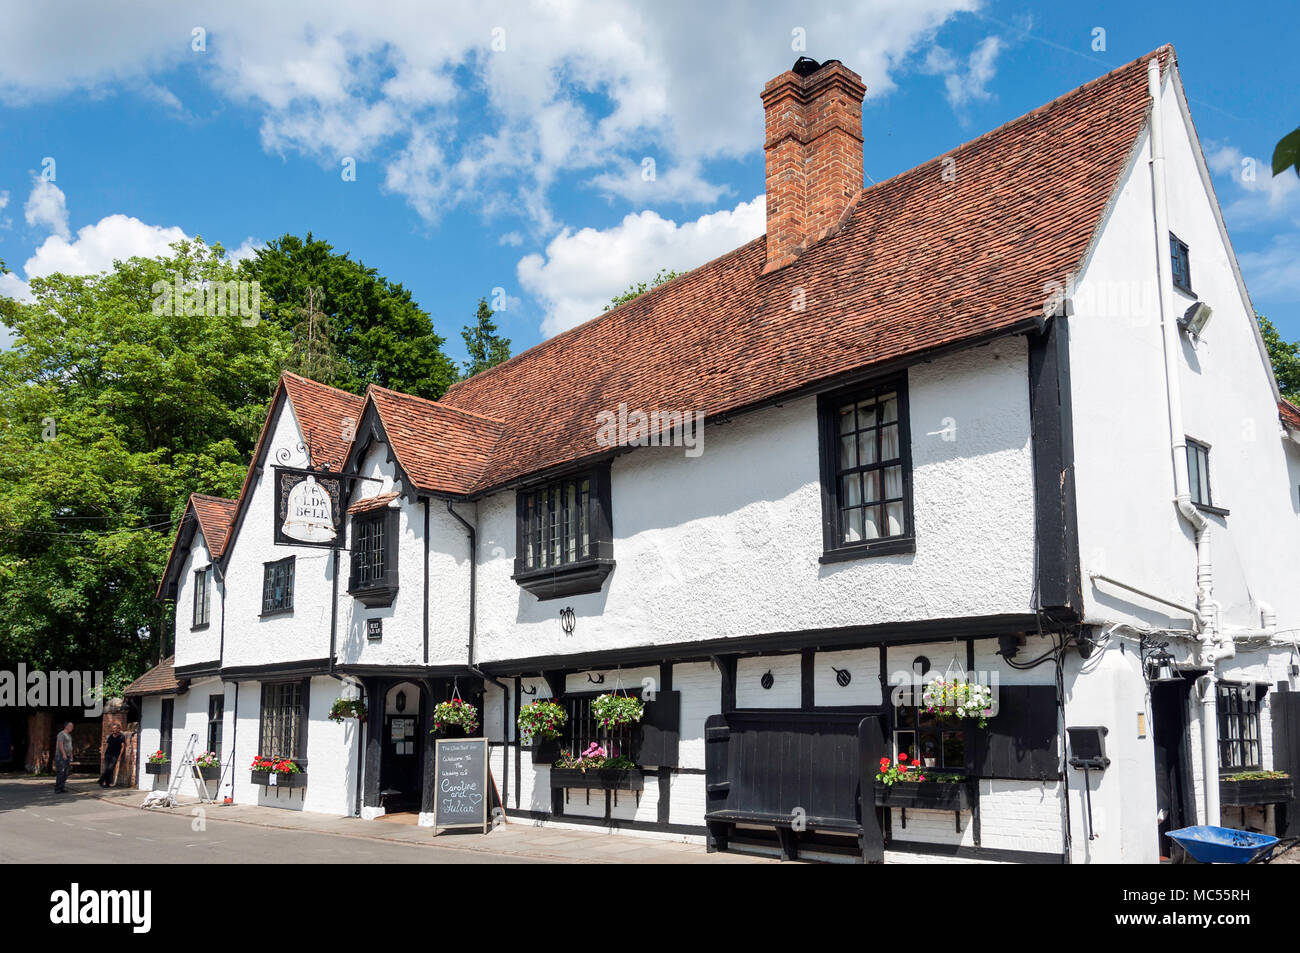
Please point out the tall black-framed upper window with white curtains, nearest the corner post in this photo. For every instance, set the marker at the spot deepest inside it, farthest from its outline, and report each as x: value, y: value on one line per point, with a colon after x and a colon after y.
x: 866, y: 471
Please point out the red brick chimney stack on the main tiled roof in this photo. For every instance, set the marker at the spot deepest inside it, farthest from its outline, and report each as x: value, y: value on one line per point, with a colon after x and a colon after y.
x: 814, y: 154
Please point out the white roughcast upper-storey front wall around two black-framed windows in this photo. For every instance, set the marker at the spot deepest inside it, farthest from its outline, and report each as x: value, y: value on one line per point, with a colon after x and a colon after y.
x: 727, y: 544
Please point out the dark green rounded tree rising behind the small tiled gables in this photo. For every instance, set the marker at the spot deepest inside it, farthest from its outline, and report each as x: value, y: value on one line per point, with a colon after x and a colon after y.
x: 378, y: 333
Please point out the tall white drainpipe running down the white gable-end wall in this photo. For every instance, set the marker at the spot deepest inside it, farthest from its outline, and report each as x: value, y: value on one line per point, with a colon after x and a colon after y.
x: 1207, y: 610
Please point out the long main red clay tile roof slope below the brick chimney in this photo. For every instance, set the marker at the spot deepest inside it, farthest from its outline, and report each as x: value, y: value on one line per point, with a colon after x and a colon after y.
x: 921, y: 263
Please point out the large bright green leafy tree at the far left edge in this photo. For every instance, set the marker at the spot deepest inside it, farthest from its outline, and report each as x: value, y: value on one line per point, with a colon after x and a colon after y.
x: 116, y: 402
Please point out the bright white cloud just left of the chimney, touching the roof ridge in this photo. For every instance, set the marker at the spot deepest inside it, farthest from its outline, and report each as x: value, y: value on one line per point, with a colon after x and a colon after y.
x: 582, y: 271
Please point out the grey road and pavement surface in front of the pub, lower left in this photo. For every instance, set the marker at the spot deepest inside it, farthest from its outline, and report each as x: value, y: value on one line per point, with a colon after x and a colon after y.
x: 90, y: 825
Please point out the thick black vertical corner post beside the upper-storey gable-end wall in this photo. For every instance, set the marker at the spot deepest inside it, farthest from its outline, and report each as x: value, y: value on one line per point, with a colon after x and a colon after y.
x: 1056, y: 527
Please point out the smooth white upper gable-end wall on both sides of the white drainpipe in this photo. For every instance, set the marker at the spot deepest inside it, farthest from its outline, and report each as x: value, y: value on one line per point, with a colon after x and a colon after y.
x: 1128, y: 525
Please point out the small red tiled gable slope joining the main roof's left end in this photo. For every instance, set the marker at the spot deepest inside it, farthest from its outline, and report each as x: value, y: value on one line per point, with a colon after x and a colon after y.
x: 440, y: 448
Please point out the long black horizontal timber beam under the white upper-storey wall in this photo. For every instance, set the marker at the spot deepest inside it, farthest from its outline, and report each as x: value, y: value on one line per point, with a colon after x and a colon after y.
x: 879, y: 634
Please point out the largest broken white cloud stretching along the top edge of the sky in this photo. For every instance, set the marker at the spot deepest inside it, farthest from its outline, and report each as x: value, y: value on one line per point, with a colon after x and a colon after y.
x: 484, y: 103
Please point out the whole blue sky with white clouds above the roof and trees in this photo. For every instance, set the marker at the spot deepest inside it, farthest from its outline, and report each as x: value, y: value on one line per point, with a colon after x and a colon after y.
x: 500, y: 150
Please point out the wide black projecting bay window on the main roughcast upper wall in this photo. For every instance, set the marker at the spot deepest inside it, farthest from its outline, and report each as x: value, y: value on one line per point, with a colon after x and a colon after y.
x: 565, y: 542
